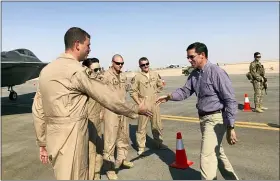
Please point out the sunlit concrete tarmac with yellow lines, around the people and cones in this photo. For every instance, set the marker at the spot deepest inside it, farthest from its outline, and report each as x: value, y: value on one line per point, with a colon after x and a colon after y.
x: 256, y: 155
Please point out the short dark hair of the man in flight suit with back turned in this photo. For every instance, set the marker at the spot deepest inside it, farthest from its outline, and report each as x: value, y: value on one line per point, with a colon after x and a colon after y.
x: 74, y: 34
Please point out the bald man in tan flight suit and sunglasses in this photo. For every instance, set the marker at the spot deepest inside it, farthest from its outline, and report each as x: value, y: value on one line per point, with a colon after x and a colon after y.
x: 116, y: 133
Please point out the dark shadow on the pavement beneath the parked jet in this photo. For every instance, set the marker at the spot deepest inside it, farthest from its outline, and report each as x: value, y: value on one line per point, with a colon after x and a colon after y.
x: 22, y: 105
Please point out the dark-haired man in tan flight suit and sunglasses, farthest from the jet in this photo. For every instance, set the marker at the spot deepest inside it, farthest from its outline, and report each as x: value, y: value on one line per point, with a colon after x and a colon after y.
x: 147, y: 84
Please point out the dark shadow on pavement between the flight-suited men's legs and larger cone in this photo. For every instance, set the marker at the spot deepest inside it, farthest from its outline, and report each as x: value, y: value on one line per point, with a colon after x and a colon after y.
x: 167, y: 156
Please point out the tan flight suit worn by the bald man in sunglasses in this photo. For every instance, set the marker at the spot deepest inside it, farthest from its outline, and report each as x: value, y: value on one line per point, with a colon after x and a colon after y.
x: 116, y: 131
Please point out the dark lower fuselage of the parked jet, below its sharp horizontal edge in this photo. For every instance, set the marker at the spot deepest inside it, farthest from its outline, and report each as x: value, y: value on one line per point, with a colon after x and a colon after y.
x: 16, y: 73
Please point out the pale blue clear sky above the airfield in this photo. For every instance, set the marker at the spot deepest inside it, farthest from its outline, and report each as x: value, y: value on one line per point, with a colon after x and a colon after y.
x: 160, y: 31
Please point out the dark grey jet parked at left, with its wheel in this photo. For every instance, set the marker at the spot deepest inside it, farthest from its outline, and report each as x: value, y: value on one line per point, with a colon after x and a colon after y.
x: 17, y: 67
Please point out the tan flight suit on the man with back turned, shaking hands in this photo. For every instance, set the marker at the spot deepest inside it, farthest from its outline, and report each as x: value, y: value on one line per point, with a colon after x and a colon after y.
x: 60, y: 113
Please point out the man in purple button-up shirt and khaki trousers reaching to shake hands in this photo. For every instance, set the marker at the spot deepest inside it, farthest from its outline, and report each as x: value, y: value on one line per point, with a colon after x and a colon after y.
x: 217, y: 108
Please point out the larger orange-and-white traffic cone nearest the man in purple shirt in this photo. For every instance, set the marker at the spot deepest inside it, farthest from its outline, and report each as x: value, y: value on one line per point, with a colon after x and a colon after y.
x: 181, y: 161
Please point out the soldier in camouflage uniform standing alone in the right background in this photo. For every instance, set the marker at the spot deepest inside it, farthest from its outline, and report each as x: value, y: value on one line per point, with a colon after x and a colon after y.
x: 257, y: 72
